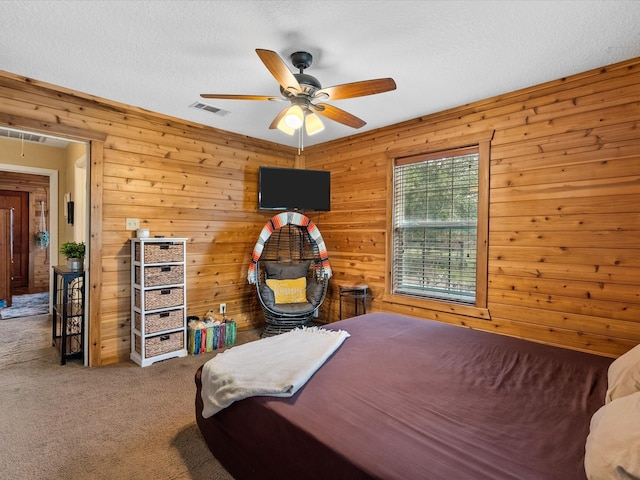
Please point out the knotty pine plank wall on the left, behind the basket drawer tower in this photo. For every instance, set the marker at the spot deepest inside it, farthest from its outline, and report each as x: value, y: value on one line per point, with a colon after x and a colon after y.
x: 180, y: 180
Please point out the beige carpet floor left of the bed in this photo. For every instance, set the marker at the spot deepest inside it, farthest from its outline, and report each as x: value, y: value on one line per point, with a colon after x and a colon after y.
x: 115, y: 422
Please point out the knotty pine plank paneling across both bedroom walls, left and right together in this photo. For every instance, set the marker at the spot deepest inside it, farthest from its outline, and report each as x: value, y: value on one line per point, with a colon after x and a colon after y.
x: 564, y: 266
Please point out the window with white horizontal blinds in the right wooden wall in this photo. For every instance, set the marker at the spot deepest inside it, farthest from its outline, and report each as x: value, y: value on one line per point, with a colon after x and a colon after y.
x: 437, y: 204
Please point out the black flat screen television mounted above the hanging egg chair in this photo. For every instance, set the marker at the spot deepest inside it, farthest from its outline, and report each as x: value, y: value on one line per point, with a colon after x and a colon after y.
x: 294, y: 189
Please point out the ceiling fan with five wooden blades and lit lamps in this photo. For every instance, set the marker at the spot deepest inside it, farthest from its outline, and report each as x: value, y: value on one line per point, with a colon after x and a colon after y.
x: 302, y: 90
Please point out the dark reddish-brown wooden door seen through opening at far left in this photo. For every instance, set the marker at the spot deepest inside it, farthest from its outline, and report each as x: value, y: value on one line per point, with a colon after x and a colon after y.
x: 19, y: 201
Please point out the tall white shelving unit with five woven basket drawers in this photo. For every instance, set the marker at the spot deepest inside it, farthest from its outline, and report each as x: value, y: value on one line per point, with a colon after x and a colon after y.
x: 158, y: 299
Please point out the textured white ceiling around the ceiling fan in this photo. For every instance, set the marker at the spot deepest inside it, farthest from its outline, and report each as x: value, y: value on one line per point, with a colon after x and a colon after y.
x: 160, y: 55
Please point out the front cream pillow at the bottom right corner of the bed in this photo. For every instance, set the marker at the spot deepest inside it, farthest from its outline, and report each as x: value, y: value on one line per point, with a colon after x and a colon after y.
x: 612, y: 450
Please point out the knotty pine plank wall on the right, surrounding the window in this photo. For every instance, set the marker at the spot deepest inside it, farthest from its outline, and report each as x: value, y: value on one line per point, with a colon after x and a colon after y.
x: 564, y: 248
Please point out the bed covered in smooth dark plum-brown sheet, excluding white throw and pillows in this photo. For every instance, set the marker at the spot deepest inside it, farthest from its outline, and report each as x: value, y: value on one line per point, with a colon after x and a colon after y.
x: 412, y: 398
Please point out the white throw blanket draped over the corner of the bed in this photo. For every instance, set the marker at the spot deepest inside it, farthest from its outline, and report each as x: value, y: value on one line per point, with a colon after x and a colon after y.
x: 274, y: 366
